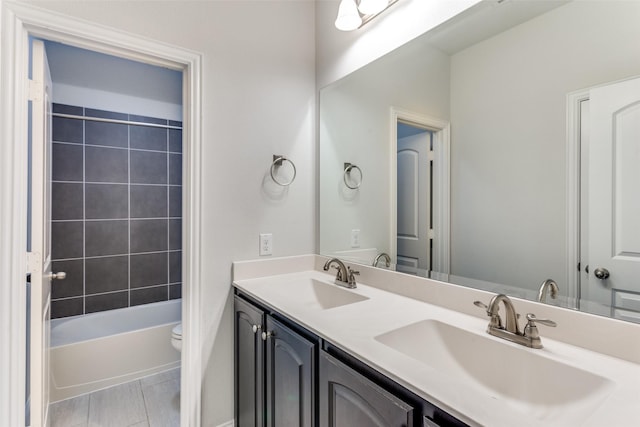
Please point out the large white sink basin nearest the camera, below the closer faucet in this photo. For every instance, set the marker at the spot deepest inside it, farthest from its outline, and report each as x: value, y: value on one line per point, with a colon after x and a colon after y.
x: 524, y: 378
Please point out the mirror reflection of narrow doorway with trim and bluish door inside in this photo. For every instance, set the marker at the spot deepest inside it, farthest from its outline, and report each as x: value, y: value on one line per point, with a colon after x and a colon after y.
x: 420, y: 200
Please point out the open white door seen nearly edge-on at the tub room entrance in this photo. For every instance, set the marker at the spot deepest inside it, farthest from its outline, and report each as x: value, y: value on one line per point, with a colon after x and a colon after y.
x: 40, y: 256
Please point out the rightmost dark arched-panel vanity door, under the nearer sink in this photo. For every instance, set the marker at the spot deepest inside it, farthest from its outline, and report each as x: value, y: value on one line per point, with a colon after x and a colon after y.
x: 347, y: 399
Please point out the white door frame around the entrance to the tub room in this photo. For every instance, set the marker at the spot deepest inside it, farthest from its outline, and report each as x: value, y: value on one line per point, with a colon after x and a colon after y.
x: 18, y: 22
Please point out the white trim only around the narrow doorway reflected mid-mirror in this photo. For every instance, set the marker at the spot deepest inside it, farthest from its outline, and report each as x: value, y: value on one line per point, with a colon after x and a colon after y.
x: 441, y: 186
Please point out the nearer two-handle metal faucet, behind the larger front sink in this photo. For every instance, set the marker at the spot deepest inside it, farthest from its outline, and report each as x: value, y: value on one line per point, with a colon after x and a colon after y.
x: 530, y: 337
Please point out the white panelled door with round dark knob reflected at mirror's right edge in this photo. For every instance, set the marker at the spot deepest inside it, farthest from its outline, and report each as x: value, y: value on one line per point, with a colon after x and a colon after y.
x: 614, y: 205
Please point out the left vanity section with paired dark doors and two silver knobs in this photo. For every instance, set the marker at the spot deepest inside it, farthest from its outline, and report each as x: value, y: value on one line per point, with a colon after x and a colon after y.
x: 274, y: 371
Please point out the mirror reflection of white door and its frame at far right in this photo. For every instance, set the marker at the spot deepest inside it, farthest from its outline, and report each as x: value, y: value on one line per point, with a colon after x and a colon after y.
x: 605, y: 220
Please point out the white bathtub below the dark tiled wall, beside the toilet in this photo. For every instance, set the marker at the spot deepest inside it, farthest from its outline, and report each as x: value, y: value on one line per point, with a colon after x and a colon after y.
x: 99, y: 350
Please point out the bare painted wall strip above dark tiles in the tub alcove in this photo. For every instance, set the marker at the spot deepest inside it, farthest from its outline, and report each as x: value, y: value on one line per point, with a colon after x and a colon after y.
x: 104, y: 82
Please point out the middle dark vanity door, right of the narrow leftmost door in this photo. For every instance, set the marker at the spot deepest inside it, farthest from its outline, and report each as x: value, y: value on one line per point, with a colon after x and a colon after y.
x: 290, y: 377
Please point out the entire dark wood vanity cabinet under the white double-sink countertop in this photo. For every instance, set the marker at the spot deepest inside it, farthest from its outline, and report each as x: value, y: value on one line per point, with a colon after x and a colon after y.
x: 286, y: 376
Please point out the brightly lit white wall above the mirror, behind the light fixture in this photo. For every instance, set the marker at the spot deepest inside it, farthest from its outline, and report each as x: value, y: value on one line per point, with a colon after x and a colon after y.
x: 340, y: 53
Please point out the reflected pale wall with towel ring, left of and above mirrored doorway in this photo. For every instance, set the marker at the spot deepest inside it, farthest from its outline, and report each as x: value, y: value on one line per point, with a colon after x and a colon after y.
x: 355, y: 126
